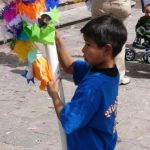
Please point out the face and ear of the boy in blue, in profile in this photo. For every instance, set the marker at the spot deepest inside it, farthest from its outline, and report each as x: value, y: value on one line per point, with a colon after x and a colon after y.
x: 93, y: 54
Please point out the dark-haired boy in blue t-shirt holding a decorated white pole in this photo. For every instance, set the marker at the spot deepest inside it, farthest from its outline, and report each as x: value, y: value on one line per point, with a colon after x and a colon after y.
x: 89, y: 119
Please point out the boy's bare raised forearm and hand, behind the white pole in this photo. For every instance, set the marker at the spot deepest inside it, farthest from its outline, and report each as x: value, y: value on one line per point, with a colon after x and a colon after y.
x: 64, y: 58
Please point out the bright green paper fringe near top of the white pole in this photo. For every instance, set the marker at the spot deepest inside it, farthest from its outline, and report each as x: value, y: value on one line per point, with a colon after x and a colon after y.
x: 45, y: 32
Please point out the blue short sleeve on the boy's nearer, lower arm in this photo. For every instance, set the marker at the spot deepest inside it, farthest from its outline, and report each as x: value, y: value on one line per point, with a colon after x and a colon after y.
x: 77, y: 114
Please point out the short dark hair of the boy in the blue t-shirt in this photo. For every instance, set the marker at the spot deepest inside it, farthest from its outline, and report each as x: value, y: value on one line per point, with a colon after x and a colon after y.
x: 106, y: 30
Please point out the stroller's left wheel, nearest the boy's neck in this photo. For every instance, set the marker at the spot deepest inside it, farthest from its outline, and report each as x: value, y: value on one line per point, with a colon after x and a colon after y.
x: 129, y: 54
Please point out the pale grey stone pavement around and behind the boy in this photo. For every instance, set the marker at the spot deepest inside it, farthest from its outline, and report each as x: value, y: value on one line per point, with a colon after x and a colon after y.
x: 27, y: 116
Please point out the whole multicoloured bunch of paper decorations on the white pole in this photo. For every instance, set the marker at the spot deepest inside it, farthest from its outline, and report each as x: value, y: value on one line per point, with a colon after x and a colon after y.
x: 24, y: 22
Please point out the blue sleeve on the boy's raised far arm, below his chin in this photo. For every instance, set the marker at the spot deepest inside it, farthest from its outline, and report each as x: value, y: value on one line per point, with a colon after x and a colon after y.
x: 80, y: 68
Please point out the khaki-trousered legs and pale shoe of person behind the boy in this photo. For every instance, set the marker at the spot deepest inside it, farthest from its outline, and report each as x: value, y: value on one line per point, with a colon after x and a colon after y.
x: 121, y: 10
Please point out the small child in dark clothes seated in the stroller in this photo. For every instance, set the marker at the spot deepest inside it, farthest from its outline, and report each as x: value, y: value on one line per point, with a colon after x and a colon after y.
x: 143, y: 29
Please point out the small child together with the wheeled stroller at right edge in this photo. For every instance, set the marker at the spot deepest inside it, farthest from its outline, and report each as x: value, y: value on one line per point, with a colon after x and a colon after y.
x: 142, y: 32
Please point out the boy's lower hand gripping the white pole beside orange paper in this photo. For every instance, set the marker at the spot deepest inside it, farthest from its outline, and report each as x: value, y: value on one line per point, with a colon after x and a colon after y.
x: 53, y: 88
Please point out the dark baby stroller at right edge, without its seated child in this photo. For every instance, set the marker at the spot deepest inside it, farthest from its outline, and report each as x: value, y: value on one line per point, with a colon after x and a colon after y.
x: 130, y: 52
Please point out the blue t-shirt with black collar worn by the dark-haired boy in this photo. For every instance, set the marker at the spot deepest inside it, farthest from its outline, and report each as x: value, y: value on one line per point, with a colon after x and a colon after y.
x: 89, y: 119
